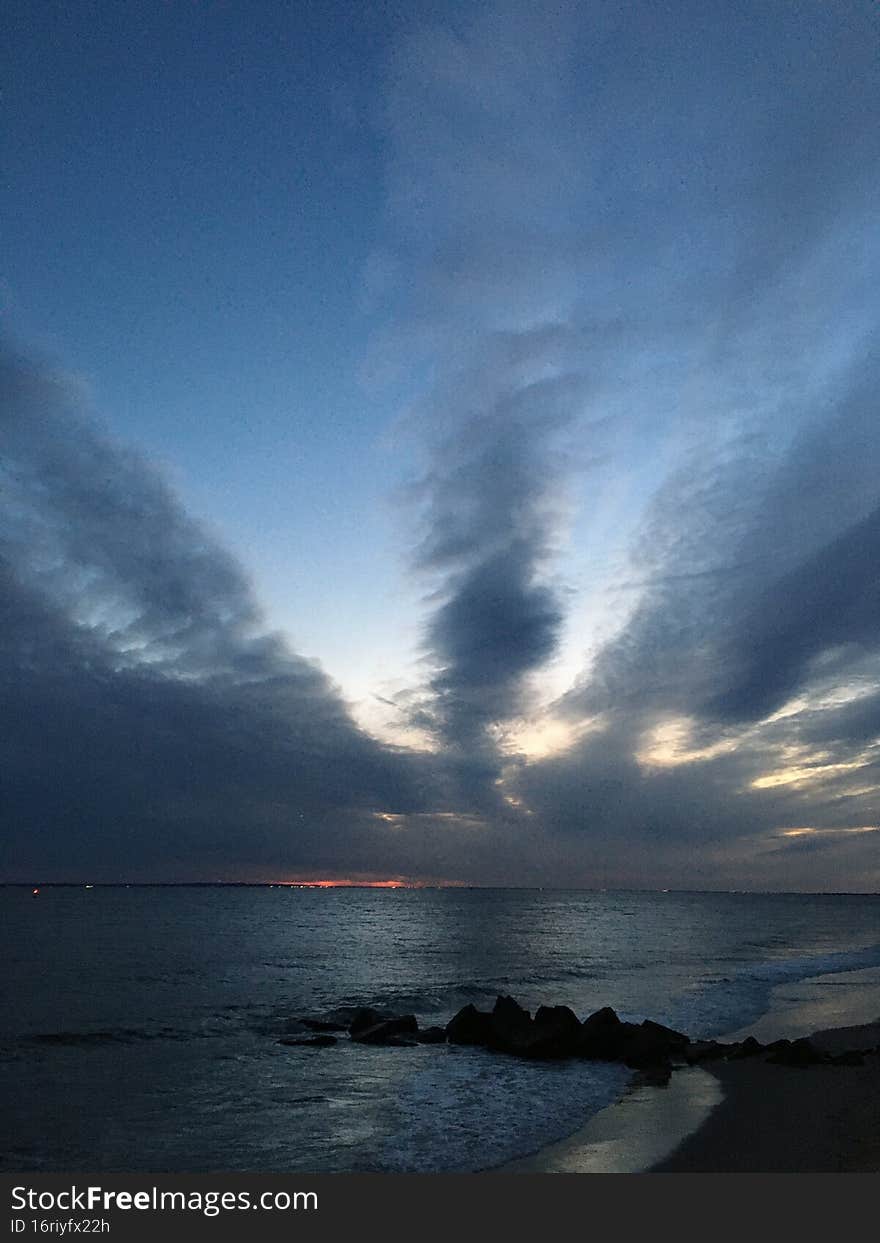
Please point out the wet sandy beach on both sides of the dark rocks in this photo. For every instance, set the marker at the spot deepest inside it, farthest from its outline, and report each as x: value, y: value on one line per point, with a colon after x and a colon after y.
x: 748, y: 1116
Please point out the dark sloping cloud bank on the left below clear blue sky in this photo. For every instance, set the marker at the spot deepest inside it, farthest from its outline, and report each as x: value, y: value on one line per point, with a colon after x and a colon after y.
x: 151, y: 725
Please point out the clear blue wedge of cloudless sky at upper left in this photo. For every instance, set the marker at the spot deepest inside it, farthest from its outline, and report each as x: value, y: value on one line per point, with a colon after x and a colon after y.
x: 193, y: 197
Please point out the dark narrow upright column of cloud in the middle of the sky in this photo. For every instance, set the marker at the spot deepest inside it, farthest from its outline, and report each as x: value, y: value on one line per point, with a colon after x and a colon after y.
x: 492, y: 507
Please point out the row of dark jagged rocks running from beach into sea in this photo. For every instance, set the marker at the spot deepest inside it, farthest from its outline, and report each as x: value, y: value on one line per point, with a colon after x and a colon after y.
x: 556, y: 1032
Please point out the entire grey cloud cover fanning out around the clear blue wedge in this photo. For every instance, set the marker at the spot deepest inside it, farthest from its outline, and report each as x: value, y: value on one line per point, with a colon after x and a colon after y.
x: 620, y: 259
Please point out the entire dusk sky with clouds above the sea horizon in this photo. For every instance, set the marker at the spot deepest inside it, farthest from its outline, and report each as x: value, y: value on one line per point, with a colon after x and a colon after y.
x: 439, y: 443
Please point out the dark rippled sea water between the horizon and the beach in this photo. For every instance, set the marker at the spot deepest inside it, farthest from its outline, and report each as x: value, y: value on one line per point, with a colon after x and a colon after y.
x: 140, y: 1026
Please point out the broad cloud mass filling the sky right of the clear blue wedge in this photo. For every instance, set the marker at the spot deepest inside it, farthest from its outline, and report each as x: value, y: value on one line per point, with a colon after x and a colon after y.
x: 656, y: 228
